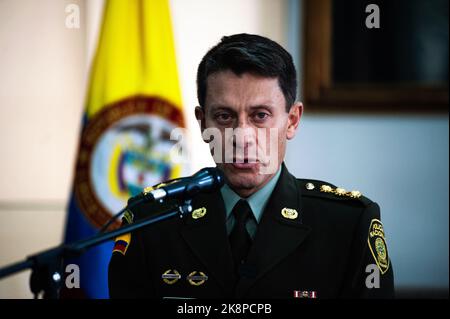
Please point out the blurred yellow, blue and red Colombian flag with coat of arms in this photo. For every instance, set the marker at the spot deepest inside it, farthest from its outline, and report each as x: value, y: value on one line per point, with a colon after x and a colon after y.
x: 133, y: 104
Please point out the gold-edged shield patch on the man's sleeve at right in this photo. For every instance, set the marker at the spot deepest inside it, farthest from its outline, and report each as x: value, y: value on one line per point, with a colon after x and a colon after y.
x: 377, y: 245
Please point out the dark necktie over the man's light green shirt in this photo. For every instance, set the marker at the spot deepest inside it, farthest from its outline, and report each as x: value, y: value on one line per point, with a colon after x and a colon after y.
x: 240, y: 240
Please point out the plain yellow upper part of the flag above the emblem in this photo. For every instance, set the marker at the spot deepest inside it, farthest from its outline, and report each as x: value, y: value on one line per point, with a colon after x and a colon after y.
x: 136, y: 54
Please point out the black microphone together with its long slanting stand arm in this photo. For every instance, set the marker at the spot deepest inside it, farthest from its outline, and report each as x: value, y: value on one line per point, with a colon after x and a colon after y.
x: 47, y: 266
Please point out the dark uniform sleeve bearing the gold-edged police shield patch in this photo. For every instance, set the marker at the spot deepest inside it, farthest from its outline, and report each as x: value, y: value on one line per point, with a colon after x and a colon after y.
x: 370, y: 268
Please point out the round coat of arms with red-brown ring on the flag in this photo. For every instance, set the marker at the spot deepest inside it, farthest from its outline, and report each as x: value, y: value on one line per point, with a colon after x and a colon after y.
x: 125, y: 147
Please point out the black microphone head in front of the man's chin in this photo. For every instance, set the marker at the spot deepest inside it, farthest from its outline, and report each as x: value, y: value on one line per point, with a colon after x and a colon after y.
x: 205, y: 180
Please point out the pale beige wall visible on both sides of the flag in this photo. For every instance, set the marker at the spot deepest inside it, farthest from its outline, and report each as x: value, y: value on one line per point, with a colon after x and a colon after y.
x: 43, y: 71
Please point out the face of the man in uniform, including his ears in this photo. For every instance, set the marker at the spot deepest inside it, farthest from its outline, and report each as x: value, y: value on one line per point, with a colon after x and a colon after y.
x: 255, y: 108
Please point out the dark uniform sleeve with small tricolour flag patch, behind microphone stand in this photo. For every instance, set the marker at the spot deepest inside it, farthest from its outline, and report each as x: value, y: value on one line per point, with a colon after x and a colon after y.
x: 127, y: 274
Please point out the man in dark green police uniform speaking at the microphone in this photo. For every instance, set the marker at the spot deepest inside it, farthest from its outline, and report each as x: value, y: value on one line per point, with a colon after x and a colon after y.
x: 265, y: 234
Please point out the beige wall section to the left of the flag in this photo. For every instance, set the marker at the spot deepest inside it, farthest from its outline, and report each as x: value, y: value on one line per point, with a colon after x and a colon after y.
x: 42, y: 82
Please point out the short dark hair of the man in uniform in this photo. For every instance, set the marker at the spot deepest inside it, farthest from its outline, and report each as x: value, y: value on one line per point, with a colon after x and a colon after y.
x: 250, y: 53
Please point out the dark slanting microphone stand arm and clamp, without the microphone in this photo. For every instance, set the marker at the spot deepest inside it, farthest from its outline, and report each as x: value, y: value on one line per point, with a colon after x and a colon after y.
x: 47, y: 265
